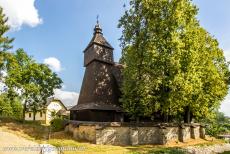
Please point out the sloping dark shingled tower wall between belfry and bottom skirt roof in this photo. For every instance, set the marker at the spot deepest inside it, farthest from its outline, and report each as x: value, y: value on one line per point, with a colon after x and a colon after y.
x: 98, y: 84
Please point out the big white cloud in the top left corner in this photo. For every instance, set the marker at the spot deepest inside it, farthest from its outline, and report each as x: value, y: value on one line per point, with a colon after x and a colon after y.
x: 20, y: 12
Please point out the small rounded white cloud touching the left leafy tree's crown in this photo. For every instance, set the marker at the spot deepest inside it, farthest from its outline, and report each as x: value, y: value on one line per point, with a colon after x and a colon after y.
x: 53, y: 63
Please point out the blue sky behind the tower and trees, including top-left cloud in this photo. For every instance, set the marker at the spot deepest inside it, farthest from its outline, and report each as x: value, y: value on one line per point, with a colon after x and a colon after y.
x: 62, y: 29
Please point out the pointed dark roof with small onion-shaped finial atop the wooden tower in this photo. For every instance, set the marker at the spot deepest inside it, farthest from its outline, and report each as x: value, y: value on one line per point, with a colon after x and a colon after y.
x: 98, y: 38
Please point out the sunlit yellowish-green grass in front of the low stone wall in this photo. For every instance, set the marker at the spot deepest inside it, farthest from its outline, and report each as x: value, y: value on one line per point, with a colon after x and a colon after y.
x: 39, y: 133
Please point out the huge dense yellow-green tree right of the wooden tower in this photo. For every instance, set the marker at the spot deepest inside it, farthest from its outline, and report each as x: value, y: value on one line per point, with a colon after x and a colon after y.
x: 172, y: 65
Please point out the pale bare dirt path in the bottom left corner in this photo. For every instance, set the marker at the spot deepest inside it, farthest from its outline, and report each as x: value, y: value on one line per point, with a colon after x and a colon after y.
x: 13, y: 144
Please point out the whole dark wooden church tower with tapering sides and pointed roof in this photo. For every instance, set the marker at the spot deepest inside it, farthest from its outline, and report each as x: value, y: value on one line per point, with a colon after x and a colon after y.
x: 99, y: 95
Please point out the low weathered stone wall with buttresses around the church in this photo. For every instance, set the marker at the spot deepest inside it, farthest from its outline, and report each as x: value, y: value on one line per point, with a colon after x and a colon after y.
x: 133, y: 134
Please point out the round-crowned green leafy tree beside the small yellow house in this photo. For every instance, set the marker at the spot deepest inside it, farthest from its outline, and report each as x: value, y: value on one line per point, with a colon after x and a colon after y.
x: 31, y: 81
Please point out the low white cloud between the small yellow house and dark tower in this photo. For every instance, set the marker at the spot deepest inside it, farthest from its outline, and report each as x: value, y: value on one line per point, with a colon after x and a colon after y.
x: 67, y: 97
